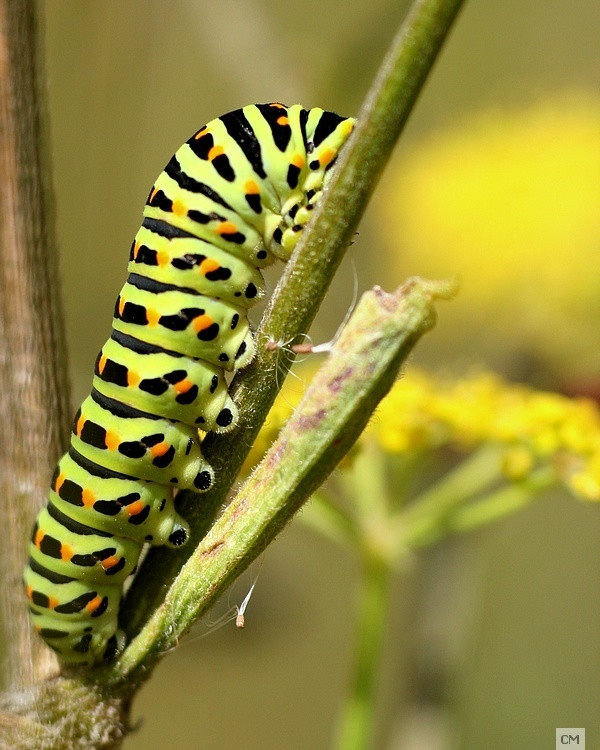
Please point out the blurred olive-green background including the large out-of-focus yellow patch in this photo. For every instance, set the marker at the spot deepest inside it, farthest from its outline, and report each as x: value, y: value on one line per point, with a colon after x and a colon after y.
x: 495, y: 180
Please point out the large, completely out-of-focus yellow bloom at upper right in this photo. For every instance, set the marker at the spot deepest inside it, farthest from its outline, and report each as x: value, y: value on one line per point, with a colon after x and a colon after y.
x: 509, y: 201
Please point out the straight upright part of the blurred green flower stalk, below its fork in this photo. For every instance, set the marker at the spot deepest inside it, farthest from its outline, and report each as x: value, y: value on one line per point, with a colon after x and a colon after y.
x: 356, y: 720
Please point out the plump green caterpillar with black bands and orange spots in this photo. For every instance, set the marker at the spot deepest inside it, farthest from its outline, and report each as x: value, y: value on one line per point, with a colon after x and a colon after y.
x: 232, y: 199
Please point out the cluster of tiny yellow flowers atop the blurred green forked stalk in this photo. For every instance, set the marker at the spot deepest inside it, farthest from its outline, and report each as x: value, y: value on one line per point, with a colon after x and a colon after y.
x: 423, y: 413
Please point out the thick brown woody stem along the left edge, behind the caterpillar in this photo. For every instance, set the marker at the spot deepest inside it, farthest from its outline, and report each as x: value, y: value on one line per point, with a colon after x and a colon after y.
x: 34, y: 394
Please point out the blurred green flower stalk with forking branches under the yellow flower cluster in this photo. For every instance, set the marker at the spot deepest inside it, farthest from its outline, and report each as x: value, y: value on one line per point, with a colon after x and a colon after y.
x: 442, y: 511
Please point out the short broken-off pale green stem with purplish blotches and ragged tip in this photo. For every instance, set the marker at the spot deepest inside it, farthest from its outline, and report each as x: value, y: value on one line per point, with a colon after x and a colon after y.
x: 360, y: 369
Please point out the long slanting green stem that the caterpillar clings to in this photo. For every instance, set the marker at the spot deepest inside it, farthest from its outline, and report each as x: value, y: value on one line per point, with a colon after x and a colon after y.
x: 305, y: 281
